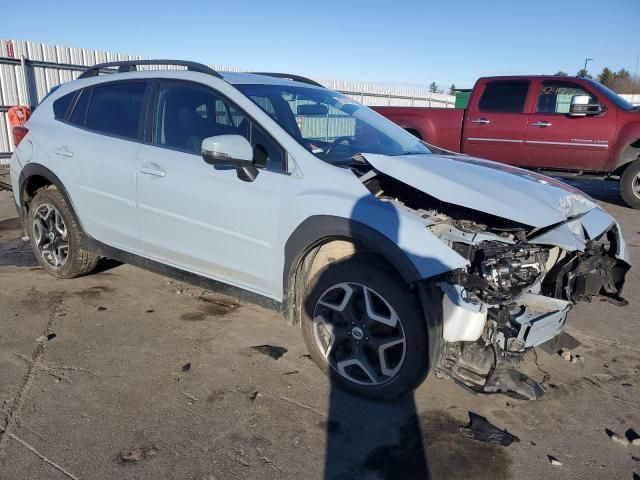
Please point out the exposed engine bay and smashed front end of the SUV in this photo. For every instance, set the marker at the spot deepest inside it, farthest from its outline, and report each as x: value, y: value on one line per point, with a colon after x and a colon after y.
x: 515, y: 292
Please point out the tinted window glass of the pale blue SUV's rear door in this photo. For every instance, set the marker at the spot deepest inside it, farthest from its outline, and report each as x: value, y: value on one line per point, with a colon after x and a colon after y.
x: 116, y: 108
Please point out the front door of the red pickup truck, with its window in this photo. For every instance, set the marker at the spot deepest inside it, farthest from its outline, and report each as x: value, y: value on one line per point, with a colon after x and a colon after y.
x: 557, y: 141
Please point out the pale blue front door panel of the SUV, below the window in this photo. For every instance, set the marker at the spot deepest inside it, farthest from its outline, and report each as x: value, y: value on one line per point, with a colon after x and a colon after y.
x: 207, y: 220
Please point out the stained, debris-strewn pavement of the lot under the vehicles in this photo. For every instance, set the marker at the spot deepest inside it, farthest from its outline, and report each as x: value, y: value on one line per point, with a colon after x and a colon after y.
x: 129, y: 374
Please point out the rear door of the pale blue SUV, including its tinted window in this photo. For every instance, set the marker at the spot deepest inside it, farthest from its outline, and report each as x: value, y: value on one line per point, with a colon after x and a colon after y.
x: 94, y: 150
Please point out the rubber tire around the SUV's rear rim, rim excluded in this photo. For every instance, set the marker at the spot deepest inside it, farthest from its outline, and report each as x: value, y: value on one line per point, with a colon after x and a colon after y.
x: 78, y: 261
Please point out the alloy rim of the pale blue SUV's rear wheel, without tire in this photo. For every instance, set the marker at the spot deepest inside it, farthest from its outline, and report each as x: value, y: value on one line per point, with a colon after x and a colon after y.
x: 50, y: 235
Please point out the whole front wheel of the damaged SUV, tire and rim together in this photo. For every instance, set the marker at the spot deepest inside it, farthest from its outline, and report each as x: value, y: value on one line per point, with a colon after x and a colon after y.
x: 358, y: 336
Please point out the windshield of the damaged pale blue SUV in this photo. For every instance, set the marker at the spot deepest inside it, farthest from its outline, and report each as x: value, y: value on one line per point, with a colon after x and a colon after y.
x: 330, y: 125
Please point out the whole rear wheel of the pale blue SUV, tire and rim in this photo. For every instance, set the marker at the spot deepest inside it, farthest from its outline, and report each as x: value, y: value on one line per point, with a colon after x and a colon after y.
x: 51, y: 225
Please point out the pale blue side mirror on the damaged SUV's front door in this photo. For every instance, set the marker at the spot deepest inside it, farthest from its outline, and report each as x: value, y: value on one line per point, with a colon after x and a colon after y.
x: 230, y: 151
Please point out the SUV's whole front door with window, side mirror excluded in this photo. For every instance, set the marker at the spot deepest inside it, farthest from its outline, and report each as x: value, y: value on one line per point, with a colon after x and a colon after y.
x: 205, y: 219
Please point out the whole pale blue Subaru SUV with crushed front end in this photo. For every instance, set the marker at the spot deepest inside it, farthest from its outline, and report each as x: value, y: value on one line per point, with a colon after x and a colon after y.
x: 395, y: 257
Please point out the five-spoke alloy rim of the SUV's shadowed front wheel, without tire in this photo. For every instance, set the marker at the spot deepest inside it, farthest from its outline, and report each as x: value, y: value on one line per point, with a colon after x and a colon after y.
x: 359, y: 334
